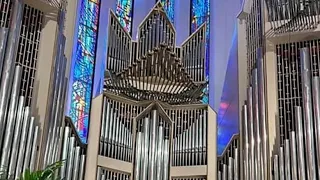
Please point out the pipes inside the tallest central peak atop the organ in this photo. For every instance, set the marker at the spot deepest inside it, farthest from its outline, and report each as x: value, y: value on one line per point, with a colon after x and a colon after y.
x: 156, y: 29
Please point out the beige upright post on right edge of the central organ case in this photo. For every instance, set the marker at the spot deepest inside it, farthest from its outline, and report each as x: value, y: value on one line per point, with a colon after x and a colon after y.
x: 212, y: 144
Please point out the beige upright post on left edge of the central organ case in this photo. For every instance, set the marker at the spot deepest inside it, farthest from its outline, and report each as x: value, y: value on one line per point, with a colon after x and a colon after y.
x: 93, y: 138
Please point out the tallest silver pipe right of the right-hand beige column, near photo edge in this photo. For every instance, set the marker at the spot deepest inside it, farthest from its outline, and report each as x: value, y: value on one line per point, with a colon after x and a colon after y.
x: 308, y: 116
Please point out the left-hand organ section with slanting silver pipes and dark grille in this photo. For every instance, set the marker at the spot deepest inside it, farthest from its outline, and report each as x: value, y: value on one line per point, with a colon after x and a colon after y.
x: 21, y: 133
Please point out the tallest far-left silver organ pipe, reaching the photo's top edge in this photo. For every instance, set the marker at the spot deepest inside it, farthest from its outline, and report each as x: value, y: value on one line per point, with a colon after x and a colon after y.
x: 9, y: 62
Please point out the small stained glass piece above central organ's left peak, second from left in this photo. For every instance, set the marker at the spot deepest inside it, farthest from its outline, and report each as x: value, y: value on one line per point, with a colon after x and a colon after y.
x: 124, y: 13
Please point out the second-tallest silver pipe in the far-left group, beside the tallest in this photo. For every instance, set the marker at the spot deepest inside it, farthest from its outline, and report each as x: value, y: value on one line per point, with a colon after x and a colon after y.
x: 9, y: 130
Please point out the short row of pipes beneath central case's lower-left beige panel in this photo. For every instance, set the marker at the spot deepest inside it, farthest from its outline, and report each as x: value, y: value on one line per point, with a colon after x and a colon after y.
x: 105, y: 174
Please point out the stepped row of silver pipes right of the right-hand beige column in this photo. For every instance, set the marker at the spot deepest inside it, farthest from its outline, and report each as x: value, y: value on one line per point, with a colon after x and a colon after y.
x: 298, y: 157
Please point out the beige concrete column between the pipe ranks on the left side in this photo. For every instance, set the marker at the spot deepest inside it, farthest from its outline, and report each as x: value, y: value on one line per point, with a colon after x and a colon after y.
x: 42, y: 84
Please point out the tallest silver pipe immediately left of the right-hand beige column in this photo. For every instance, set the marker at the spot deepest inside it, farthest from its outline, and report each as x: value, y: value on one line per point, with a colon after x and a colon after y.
x: 262, y: 115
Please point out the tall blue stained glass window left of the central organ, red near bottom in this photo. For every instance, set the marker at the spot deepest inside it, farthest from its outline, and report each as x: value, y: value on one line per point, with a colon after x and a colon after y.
x: 82, y: 77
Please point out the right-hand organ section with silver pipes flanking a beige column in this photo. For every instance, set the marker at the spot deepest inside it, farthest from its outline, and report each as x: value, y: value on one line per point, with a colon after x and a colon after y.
x: 290, y: 37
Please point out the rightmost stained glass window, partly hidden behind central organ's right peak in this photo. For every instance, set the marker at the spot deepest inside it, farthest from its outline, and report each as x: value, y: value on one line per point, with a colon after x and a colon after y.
x: 200, y: 13
